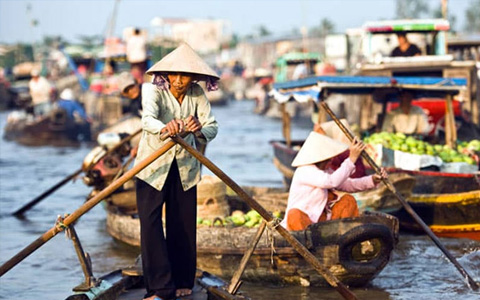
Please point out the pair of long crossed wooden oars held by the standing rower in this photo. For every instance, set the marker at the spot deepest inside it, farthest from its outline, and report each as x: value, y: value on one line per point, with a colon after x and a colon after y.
x: 322, y: 270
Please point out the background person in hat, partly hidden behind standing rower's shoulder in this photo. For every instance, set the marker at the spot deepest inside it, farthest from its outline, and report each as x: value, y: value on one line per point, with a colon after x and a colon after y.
x: 131, y: 89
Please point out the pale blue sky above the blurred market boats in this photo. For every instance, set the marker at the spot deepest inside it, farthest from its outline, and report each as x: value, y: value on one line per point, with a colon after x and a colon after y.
x: 72, y: 18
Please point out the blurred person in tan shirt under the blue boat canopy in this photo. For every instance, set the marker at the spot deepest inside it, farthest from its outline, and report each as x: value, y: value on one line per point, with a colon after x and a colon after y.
x: 407, y: 118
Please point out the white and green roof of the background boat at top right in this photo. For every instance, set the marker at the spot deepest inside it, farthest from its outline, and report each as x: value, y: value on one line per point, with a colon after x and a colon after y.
x: 419, y: 25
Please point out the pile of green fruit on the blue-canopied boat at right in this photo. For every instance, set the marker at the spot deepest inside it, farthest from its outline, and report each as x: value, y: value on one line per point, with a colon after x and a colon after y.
x: 401, y: 142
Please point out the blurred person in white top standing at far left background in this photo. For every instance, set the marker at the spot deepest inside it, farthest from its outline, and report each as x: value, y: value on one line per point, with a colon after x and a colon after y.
x: 40, y: 91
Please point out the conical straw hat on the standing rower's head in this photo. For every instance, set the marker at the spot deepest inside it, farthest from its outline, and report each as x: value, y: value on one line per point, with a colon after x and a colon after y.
x: 183, y: 59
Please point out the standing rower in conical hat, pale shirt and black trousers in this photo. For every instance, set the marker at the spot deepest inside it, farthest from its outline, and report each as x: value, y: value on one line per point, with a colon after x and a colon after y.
x: 172, y: 103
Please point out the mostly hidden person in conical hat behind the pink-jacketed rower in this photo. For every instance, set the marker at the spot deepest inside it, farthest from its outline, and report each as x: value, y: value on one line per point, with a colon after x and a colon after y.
x: 331, y: 130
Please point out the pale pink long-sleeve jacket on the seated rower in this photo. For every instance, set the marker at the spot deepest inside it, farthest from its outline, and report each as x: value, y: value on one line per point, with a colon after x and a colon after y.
x: 310, y: 185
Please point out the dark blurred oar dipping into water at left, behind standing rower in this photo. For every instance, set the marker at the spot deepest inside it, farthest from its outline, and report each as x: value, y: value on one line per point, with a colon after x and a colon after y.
x: 20, y: 211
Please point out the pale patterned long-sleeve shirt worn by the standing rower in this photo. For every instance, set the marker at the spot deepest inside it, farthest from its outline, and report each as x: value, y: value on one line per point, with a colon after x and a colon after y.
x: 159, y: 108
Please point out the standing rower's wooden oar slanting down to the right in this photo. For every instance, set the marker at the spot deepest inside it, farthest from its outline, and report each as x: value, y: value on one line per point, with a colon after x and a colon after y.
x: 309, y: 257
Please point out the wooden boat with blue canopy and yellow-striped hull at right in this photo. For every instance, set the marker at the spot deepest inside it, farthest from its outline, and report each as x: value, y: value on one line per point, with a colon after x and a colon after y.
x: 437, y: 197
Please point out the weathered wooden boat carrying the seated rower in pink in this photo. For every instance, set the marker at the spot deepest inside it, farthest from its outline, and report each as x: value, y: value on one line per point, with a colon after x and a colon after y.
x: 355, y: 249
